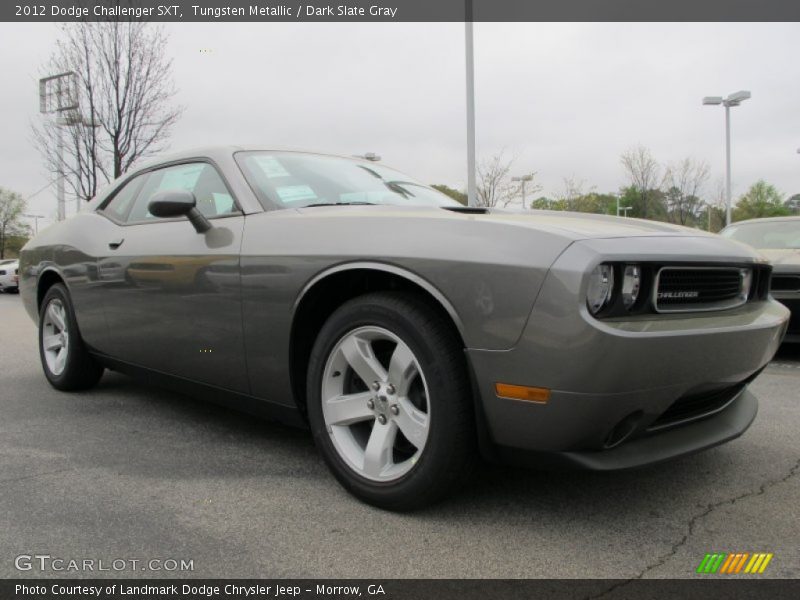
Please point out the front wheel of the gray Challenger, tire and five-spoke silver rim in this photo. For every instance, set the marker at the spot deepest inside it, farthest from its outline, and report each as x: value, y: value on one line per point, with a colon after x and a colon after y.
x: 419, y: 392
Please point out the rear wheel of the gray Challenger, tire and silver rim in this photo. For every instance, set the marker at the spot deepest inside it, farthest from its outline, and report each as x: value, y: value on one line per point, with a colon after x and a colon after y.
x: 67, y: 364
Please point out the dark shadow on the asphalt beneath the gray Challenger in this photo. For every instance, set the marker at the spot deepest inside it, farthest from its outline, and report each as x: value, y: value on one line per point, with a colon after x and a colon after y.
x: 161, y: 434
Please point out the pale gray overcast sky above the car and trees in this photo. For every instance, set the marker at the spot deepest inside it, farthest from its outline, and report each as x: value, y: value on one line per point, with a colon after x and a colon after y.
x: 565, y: 99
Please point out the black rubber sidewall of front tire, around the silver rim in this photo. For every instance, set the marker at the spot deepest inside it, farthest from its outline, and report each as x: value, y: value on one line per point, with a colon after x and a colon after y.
x: 445, y: 387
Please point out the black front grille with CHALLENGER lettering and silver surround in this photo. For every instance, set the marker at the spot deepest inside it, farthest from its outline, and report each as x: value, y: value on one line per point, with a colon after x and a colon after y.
x: 681, y: 289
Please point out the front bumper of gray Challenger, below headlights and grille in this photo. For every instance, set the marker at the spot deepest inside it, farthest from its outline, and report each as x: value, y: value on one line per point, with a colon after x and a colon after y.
x: 603, y: 373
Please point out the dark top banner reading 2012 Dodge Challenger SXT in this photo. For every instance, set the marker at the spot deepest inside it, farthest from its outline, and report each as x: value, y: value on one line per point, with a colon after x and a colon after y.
x: 400, y: 10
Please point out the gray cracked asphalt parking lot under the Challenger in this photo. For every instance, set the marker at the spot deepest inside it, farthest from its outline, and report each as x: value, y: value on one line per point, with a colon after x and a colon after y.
x: 131, y: 472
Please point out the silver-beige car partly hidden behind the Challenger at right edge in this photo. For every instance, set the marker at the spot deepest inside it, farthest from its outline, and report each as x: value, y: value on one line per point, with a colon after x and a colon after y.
x: 779, y: 240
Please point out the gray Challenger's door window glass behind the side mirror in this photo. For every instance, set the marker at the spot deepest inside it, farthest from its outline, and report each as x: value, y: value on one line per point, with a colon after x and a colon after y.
x: 202, y: 179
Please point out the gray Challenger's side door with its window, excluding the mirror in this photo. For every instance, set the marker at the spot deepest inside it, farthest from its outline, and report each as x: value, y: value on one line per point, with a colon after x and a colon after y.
x: 172, y: 296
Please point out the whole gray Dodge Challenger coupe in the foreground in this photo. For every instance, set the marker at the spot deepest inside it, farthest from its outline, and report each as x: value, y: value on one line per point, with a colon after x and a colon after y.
x: 410, y: 333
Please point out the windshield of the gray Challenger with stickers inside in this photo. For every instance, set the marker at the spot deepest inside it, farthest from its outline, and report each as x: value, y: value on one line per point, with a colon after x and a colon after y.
x: 295, y: 180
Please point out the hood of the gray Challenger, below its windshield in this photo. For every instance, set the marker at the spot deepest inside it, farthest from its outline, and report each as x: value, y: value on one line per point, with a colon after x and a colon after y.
x: 575, y: 226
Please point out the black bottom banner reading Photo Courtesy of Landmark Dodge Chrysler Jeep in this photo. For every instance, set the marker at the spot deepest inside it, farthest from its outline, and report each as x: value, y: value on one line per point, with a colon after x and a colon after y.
x: 398, y: 589
